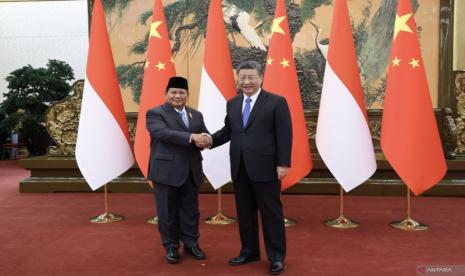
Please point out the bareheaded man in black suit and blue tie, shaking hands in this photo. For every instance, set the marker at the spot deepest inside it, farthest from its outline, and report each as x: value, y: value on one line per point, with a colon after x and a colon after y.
x: 258, y: 124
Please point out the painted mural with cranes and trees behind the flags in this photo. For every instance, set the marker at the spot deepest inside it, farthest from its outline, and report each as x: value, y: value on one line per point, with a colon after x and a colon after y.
x: 248, y: 25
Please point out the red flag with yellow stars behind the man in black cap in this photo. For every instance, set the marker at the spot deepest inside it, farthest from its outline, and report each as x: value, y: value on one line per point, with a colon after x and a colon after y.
x: 159, y: 67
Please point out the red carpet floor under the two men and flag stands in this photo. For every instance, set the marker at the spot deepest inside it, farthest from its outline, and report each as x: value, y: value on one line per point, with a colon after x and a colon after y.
x: 49, y: 234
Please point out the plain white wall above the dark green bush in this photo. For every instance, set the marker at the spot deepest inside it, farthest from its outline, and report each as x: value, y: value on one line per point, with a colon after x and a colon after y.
x: 34, y: 32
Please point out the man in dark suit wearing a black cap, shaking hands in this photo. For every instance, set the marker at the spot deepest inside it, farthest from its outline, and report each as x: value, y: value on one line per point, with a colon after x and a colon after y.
x: 175, y: 168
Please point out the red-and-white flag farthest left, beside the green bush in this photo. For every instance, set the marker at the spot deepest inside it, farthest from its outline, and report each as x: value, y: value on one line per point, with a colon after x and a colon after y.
x: 103, y: 150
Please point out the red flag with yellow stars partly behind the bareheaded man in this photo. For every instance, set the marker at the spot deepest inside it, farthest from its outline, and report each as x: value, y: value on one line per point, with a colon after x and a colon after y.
x: 281, y: 78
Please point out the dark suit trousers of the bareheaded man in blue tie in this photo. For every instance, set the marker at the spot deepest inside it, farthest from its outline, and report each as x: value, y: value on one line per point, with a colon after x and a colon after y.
x: 264, y: 197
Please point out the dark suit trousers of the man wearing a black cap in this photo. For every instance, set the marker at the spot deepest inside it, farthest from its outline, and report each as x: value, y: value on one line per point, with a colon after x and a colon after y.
x: 178, y: 213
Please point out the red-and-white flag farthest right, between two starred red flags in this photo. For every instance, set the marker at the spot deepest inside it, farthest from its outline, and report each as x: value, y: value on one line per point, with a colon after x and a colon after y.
x: 343, y: 137
